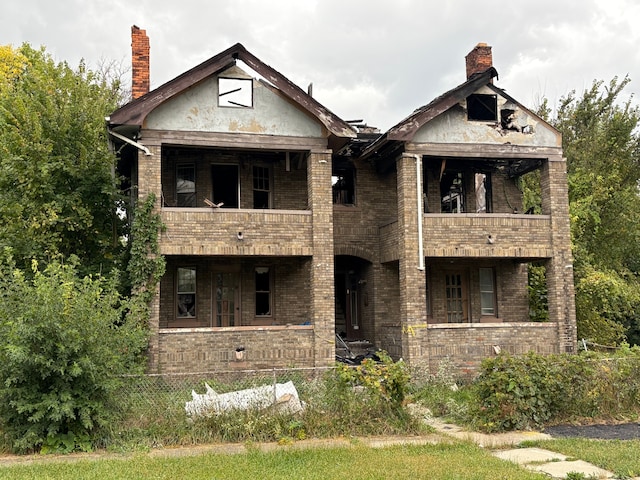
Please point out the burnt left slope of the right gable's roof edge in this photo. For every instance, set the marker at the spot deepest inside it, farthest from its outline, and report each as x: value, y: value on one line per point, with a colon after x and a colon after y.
x: 407, y: 128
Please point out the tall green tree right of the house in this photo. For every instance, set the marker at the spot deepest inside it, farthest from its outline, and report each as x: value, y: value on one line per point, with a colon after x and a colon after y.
x: 602, y: 147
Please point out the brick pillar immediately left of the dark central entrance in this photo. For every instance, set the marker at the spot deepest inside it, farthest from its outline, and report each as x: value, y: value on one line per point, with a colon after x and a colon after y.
x: 322, y: 293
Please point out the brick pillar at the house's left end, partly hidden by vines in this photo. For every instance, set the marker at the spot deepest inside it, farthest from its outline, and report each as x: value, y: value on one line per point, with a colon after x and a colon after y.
x: 149, y: 181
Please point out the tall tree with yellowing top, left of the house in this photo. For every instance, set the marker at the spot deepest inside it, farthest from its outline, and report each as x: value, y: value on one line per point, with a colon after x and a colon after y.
x: 58, y: 192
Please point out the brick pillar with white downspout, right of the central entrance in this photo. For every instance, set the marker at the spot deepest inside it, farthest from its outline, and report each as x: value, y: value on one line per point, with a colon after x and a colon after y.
x: 412, y: 280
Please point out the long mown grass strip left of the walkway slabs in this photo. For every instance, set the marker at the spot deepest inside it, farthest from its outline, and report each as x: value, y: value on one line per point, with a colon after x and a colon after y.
x: 432, y: 462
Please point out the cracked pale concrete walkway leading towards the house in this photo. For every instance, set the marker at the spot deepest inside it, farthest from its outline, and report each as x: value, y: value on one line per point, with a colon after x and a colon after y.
x: 553, y: 464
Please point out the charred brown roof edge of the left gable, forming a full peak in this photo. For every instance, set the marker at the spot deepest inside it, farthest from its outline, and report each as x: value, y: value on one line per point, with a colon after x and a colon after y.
x: 135, y: 112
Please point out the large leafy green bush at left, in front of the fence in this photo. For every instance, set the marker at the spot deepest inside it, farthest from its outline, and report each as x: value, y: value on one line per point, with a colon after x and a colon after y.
x: 64, y: 339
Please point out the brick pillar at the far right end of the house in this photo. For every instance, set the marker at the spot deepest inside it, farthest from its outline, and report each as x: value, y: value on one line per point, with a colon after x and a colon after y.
x: 561, y: 295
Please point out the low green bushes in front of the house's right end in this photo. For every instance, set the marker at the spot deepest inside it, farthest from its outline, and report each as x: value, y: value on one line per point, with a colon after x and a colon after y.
x: 533, y: 390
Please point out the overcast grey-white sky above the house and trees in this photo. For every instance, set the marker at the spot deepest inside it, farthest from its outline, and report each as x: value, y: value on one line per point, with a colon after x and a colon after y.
x: 375, y: 60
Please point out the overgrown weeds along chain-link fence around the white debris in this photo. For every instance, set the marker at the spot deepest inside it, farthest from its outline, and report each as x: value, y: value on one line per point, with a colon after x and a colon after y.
x: 153, y: 415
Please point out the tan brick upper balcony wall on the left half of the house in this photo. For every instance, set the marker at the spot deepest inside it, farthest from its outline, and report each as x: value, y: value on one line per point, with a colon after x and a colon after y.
x: 230, y: 232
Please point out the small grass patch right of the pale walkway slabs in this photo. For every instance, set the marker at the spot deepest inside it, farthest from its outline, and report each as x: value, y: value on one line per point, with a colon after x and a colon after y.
x: 617, y: 456
